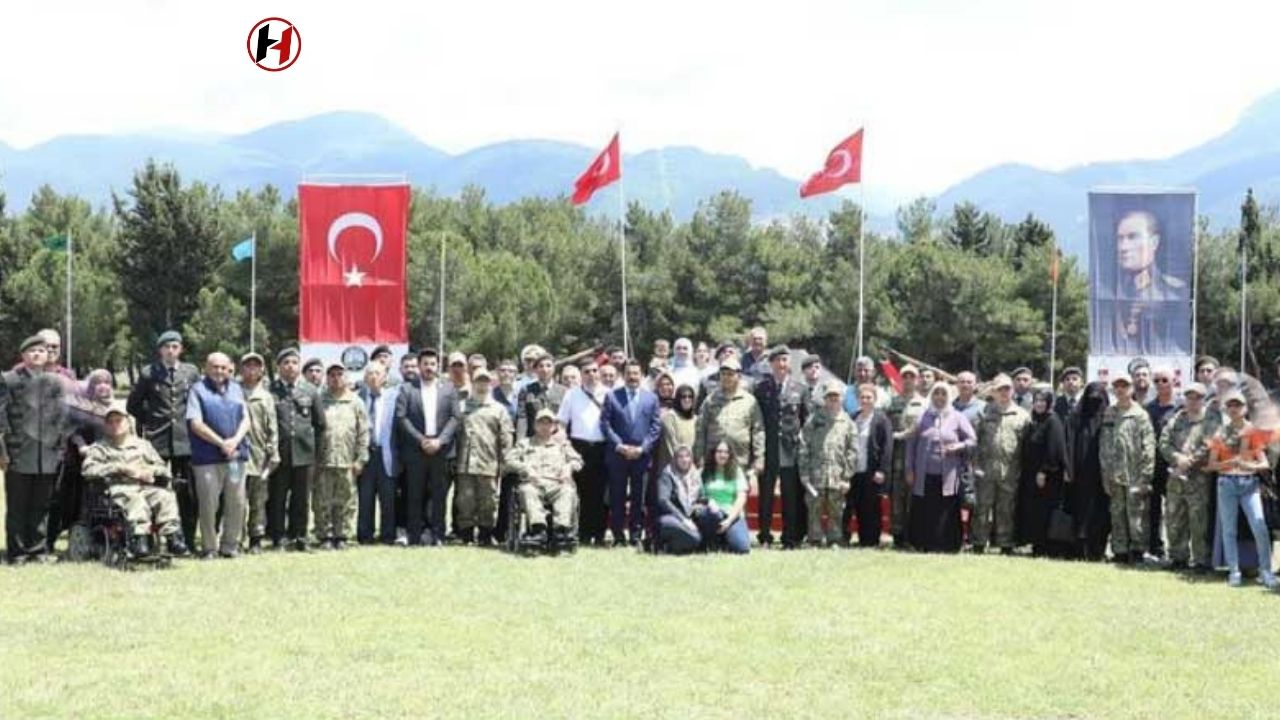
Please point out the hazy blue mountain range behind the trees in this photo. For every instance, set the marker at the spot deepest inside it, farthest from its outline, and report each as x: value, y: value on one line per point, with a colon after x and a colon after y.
x: 675, y: 179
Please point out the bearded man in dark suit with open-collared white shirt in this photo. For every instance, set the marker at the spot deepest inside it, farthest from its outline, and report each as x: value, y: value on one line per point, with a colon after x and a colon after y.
x: 426, y: 420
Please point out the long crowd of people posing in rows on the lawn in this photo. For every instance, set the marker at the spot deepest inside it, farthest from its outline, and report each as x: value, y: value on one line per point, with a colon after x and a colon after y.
x: 604, y: 450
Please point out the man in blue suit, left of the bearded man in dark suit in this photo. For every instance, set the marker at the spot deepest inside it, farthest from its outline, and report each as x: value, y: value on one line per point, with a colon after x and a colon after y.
x: 378, y: 479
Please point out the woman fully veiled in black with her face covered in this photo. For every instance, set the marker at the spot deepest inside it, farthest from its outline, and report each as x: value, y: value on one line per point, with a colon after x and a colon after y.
x: 1087, y: 500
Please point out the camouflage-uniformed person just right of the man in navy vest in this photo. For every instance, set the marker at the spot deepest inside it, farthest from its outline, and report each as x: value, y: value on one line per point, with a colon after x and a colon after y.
x: 264, y: 452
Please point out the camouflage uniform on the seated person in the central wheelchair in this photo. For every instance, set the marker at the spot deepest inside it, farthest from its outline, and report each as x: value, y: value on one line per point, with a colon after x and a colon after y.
x: 546, y: 480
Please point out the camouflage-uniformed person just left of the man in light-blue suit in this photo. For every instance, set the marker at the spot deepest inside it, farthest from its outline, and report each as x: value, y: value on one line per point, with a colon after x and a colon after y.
x: 344, y: 453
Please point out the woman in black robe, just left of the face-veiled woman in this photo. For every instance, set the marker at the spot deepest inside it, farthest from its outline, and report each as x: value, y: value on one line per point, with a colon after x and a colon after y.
x: 1043, y: 458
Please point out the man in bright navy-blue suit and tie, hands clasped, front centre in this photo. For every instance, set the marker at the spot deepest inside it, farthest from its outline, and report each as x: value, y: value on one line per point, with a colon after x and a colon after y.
x: 633, y: 423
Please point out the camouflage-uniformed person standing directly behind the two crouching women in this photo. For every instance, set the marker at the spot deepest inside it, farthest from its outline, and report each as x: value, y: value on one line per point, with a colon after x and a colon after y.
x: 732, y: 414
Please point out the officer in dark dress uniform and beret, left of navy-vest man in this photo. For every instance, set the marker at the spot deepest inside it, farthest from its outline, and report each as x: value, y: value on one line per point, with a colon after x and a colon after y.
x: 159, y: 407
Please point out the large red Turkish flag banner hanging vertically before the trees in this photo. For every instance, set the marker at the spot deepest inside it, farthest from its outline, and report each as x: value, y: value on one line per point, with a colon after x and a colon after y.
x: 351, y: 263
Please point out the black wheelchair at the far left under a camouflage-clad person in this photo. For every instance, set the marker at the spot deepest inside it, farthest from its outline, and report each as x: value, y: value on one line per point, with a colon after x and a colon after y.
x: 103, y: 534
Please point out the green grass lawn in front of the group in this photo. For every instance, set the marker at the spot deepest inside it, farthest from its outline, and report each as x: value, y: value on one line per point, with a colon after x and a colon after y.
x: 472, y: 634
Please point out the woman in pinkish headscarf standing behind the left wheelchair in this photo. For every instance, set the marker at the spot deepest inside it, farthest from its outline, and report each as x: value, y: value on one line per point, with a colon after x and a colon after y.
x: 86, y: 409
